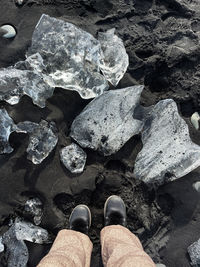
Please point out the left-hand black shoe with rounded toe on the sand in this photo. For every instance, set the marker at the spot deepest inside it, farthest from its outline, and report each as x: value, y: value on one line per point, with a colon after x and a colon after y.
x: 80, y: 219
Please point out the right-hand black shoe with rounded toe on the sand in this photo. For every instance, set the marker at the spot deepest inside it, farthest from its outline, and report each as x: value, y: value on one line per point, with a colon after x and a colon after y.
x: 114, y: 211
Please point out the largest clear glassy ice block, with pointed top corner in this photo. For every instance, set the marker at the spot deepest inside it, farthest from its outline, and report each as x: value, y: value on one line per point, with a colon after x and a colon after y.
x: 71, y: 55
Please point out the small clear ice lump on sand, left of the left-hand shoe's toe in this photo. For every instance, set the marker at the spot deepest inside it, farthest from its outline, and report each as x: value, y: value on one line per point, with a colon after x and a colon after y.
x: 33, y: 207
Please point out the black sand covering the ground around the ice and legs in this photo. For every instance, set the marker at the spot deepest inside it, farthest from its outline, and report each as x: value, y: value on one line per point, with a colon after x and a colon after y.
x: 166, y: 219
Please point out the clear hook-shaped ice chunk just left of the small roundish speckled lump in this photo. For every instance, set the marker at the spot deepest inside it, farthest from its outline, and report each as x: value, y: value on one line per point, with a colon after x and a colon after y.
x: 43, y: 139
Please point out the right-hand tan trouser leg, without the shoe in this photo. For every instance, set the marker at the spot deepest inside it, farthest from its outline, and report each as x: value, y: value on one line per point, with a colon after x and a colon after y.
x: 121, y: 248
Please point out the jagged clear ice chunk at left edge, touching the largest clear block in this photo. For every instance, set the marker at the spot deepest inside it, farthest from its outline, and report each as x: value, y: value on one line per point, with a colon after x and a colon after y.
x: 26, y: 78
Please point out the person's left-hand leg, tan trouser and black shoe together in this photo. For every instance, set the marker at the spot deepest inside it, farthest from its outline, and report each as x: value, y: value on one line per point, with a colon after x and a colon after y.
x: 72, y: 248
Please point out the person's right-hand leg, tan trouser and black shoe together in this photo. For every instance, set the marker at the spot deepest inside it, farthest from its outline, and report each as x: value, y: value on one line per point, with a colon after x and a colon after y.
x: 120, y: 247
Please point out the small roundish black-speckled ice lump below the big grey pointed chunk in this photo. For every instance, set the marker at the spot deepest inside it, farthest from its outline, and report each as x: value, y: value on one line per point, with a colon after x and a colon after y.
x: 73, y: 157
